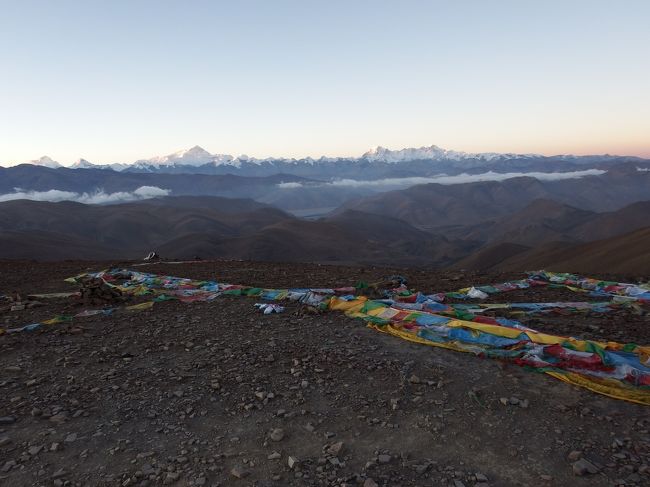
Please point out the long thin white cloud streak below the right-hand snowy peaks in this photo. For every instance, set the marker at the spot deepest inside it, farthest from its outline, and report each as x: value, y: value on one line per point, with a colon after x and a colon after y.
x: 447, y: 180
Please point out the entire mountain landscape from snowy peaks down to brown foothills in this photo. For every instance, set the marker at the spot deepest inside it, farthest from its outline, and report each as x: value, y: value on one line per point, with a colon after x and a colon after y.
x: 415, y: 207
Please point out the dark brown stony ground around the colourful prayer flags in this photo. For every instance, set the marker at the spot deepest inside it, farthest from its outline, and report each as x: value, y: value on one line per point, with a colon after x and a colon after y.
x: 210, y: 394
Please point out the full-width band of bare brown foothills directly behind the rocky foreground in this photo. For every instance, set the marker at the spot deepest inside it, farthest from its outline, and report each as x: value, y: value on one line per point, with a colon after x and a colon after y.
x: 554, y: 236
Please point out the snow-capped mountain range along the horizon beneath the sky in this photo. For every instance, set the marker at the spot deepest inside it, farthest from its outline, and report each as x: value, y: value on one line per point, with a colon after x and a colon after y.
x: 374, y: 164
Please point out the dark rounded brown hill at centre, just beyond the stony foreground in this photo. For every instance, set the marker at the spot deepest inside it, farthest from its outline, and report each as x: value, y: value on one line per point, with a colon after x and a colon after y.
x: 349, y: 237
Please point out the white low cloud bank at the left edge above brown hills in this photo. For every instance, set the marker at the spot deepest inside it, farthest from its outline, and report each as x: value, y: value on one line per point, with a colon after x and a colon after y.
x: 97, y: 197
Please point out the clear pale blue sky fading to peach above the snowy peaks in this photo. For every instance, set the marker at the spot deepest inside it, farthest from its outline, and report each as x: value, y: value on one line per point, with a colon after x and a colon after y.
x: 125, y: 80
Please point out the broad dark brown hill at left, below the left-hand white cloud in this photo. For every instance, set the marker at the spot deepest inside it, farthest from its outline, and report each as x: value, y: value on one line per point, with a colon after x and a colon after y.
x: 125, y: 230
